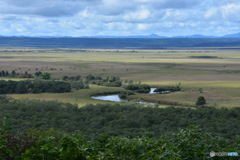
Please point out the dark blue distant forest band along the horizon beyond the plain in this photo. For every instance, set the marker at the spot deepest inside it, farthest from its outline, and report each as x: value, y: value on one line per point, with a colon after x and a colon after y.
x: 110, y: 43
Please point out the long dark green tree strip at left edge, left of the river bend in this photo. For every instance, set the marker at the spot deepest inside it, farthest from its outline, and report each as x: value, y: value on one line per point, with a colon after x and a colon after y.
x: 9, y: 87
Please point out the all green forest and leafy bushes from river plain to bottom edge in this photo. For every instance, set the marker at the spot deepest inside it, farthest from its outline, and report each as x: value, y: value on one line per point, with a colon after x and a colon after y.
x: 54, y: 130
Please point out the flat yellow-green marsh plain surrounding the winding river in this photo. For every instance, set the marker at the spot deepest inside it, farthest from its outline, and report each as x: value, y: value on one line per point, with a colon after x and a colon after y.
x: 218, y: 77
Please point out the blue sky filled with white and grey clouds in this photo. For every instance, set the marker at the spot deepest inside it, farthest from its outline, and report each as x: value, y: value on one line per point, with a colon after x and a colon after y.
x: 119, y: 17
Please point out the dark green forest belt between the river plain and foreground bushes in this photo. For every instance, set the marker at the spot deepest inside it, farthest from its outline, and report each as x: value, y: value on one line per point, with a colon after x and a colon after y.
x: 120, y: 119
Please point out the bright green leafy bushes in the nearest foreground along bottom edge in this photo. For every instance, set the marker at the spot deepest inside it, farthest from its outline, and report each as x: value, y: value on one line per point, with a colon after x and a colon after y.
x: 185, y: 144
